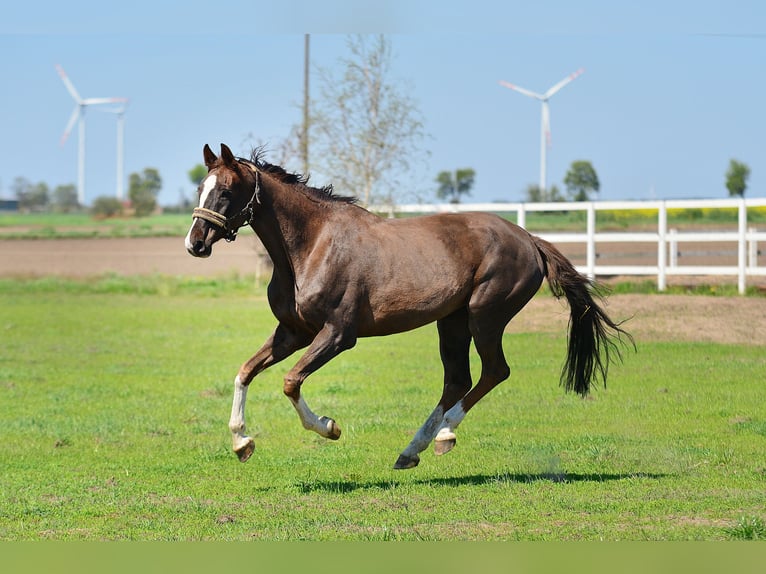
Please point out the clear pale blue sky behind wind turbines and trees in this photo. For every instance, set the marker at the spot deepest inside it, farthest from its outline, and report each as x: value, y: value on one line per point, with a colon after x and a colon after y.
x: 671, y: 90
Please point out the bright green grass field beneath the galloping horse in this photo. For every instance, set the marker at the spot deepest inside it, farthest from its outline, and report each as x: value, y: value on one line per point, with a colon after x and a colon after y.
x: 113, y: 426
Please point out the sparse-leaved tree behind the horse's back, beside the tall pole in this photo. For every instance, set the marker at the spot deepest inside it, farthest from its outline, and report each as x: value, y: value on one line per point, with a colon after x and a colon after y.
x: 364, y: 130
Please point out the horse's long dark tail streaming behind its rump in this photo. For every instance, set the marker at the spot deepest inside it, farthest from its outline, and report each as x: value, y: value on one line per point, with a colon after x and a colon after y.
x: 593, y: 336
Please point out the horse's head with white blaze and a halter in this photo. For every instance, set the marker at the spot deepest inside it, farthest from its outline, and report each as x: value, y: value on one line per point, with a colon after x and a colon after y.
x: 227, y: 198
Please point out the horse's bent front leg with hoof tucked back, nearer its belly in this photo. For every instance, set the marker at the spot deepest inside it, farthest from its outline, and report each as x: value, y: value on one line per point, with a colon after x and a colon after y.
x: 328, y: 343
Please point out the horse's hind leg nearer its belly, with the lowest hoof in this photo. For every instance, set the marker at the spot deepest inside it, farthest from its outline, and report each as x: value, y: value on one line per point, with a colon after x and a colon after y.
x: 454, y: 344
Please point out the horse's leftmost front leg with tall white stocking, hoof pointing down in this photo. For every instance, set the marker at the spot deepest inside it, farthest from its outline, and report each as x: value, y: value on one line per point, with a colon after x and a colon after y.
x: 280, y: 345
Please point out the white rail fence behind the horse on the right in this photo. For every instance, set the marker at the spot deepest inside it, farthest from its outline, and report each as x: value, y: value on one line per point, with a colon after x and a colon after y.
x: 667, y: 240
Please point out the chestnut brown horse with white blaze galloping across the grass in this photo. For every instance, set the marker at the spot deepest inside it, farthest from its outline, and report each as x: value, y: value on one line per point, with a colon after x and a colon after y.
x: 342, y: 272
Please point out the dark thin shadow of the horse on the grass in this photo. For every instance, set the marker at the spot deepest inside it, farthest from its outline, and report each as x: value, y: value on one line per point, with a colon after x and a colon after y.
x: 341, y: 486
